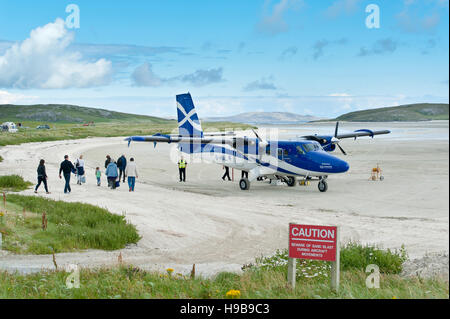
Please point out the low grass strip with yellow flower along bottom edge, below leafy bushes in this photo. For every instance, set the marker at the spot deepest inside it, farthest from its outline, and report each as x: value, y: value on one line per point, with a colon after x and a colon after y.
x: 131, y: 282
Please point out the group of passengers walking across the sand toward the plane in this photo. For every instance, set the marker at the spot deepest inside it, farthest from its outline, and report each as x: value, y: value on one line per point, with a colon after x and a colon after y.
x: 115, y: 171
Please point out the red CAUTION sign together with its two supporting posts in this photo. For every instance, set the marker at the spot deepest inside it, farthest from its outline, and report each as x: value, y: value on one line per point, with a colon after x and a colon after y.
x: 314, y: 242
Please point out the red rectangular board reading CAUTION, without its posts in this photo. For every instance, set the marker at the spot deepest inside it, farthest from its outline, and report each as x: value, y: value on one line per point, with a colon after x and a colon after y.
x: 312, y: 242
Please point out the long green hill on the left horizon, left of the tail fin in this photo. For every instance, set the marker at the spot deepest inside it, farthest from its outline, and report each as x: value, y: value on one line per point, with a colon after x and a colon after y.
x: 60, y: 113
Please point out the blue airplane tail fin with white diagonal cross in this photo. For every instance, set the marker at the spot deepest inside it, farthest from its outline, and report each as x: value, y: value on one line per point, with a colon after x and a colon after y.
x: 188, y: 122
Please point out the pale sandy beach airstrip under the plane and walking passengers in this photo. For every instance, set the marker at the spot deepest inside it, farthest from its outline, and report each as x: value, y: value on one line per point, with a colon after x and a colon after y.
x: 219, y: 227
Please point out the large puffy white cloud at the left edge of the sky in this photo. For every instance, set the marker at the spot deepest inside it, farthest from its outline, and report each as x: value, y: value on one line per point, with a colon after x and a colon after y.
x: 43, y: 61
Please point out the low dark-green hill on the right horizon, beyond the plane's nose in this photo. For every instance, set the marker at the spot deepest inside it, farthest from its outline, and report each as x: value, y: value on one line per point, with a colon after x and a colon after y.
x: 403, y: 113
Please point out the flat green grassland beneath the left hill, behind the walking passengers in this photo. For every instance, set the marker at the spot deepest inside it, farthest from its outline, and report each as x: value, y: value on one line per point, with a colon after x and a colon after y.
x: 64, y: 131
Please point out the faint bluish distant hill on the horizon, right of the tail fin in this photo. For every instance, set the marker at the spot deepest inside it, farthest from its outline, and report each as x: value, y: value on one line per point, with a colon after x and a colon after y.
x: 264, y: 118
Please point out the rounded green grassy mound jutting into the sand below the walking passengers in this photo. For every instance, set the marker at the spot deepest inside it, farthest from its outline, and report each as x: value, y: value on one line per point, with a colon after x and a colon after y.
x: 70, y: 227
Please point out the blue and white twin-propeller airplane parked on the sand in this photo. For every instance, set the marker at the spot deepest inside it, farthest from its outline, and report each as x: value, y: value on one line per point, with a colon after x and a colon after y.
x: 306, y: 158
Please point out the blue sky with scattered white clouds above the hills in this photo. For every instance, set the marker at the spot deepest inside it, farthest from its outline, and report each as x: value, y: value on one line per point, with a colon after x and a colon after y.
x: 321, y: 58
